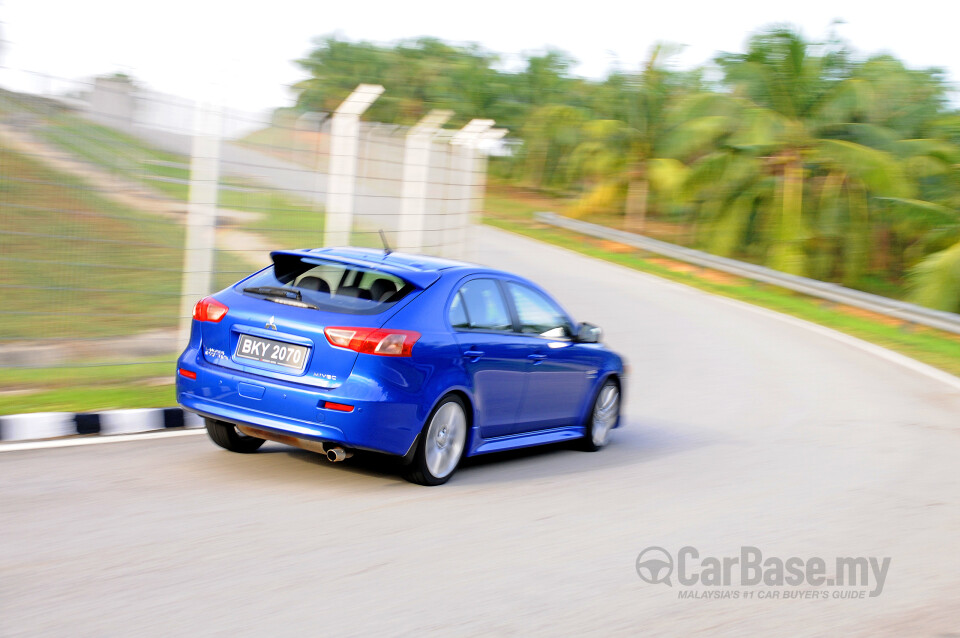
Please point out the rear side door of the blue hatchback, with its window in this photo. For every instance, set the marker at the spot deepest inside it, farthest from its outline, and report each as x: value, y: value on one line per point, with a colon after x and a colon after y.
x: 493, y: 354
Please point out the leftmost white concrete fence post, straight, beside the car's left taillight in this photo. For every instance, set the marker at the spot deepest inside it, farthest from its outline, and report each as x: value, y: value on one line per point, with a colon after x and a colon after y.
x: 200, y: 236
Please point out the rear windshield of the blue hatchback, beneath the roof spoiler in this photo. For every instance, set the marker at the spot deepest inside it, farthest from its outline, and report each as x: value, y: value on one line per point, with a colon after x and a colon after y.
x: 327, y: 285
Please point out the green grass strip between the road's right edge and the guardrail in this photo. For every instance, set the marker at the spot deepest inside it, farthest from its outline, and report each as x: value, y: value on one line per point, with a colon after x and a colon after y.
x: 512, y: 209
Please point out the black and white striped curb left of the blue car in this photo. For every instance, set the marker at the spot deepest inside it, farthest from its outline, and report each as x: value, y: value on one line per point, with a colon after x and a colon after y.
x: 49, y: 425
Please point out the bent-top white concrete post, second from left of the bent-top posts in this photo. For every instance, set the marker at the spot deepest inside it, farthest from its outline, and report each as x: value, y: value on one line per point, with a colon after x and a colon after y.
x: 416, y: 174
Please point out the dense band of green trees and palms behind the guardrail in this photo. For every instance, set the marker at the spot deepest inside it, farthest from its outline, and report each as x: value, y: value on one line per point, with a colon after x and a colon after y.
x: 801, y: 155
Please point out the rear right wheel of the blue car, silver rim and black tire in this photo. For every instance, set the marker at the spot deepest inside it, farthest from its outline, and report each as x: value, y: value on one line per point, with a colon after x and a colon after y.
x: 440, y: 444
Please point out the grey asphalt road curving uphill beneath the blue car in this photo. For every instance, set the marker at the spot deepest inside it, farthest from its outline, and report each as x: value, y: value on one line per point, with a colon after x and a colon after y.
x: 741, y: 429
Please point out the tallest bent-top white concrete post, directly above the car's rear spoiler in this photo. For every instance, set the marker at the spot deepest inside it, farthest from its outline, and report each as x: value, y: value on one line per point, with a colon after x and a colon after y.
x: 344, y: 131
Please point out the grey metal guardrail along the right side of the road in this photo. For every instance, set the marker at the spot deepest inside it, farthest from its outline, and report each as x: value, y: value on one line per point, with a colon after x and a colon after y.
x: 906, y: 312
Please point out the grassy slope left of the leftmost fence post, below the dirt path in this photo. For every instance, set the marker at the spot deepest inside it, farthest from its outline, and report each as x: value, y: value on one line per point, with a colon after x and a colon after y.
x: 77, y: 264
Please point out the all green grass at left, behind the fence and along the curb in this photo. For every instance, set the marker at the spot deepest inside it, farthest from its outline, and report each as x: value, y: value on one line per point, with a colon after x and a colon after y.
x: 78, y: 265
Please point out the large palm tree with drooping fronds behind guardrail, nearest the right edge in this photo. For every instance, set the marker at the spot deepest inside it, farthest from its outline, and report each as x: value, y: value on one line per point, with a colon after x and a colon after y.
x: 783, y: 187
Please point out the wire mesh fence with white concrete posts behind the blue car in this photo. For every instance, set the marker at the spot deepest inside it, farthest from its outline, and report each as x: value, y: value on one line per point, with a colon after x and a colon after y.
x: 119, y: 207
